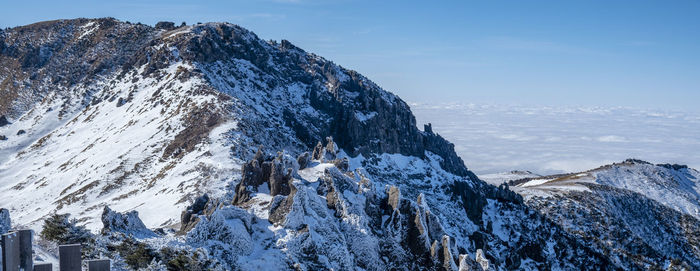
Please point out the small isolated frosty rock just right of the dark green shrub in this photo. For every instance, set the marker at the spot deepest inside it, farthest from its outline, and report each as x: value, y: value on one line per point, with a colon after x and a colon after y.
x: 128, y: 224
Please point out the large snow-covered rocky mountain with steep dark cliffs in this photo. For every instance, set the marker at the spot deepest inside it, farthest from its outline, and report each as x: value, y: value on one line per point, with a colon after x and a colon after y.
x: 240, y: 153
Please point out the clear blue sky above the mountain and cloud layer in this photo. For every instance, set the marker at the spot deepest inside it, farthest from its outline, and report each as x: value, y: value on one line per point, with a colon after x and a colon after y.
x: 594, y: 53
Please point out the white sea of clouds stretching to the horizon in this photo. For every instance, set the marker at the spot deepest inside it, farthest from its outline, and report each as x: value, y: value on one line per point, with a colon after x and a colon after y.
x: 547, y: 140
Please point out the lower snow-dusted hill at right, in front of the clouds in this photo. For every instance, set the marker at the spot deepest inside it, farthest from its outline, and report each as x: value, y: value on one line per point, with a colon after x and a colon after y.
x: 644, y: 216
